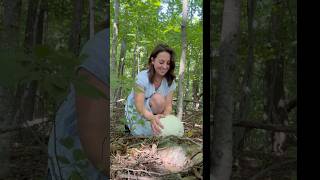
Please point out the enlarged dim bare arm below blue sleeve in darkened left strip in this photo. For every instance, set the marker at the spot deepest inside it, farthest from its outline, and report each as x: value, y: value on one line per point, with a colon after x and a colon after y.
x: 93, y: 123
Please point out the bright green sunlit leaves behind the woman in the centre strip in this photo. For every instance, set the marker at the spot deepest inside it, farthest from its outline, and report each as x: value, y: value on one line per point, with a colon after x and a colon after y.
x: 160, y: 22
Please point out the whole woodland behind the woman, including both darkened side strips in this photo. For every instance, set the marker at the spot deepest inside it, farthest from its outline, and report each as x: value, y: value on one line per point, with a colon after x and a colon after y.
x: 253, y: 80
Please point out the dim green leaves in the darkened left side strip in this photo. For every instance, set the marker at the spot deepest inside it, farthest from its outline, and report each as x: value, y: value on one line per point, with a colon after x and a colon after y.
x: 52, y: 69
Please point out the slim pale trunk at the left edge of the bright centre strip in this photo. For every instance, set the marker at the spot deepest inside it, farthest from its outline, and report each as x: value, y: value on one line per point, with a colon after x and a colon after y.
x: 115, y: 35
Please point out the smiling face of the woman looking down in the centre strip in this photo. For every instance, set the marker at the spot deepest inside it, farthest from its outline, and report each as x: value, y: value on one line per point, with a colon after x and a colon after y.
x: 161, y: 63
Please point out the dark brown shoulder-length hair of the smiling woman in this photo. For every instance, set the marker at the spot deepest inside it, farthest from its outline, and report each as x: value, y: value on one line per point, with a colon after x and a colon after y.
x: 170, y: 74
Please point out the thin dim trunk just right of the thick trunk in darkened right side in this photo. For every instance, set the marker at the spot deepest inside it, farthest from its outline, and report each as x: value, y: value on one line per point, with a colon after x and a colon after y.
x: 247, y: 80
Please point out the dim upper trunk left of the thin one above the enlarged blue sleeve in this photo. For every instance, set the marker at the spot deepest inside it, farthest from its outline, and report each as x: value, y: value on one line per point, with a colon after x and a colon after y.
x: 75, y: 35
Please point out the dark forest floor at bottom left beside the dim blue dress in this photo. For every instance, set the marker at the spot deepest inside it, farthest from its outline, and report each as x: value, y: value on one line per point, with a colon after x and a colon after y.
x: 29, y: 155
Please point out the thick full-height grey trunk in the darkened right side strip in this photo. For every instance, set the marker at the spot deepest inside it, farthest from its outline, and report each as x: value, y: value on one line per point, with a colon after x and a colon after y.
x: 222, y: 130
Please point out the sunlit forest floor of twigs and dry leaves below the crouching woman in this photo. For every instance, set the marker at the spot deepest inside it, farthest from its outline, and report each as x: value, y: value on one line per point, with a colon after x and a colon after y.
x: 140, y: 157
